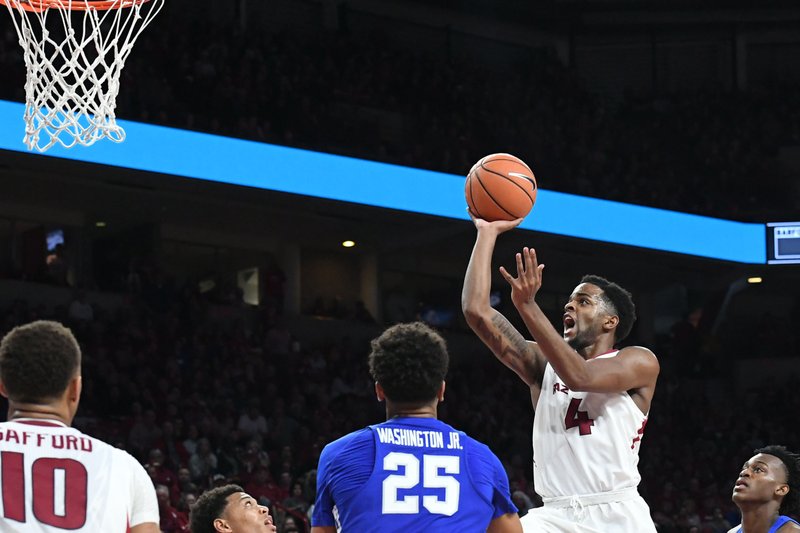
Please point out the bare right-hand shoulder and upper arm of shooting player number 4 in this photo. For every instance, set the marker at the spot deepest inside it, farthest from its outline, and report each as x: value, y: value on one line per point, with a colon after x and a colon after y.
x: 633, y: 367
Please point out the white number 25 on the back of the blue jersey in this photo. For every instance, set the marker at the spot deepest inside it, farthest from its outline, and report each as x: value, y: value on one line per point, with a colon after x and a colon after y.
x: 431, y: 479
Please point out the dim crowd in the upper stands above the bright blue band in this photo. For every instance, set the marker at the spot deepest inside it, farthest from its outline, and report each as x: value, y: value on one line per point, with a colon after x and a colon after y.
x: 711, y: 153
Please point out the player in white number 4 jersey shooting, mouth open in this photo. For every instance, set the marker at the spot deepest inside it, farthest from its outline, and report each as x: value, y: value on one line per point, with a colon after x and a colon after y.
x: 591, y: 401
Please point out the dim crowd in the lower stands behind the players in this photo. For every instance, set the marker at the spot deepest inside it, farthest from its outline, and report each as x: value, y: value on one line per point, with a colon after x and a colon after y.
x: 202, y: 401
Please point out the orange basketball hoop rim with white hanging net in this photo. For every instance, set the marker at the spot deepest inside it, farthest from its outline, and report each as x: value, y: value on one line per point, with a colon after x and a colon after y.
x: 74, y: 53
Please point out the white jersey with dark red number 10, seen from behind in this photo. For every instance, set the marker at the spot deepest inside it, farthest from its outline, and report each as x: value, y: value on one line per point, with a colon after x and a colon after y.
x: 53, y: 478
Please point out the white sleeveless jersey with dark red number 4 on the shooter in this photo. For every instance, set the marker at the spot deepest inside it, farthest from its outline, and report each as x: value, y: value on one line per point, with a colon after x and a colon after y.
x: 584, y: 442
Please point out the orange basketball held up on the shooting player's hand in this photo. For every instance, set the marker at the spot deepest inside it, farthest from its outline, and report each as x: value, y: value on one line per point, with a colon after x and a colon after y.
x: 500, y: 187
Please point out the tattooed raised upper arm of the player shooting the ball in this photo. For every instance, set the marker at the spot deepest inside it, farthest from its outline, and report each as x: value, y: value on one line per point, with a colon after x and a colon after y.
x: 508, y: 345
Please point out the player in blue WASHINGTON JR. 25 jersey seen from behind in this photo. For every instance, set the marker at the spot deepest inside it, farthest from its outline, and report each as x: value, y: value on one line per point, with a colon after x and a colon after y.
x: 412, y: 472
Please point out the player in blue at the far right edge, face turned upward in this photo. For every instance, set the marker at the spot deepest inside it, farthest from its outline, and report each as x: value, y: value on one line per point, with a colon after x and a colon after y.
x: 768, y: 489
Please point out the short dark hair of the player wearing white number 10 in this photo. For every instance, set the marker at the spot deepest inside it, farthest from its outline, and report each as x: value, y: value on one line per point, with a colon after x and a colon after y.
x: 38, y: 360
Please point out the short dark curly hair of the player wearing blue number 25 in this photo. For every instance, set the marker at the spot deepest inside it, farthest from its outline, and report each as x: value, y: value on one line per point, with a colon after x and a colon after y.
x: 410, y: 362
